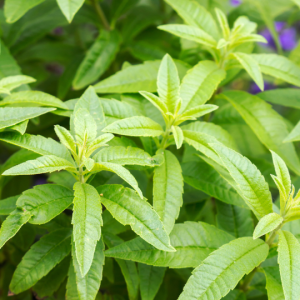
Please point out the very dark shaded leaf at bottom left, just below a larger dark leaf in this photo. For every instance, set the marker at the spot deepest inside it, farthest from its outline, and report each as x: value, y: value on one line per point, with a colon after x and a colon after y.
x: 52, y: 281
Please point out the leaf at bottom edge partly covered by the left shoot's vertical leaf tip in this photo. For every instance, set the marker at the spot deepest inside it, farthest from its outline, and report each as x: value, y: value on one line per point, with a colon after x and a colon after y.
x: 88, y: 285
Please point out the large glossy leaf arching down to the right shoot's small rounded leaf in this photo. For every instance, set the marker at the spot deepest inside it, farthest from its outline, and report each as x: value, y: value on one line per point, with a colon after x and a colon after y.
x: 251, y: 184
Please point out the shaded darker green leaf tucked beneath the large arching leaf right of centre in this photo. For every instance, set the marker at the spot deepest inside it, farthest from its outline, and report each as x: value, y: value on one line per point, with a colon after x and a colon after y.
x: 205, y: 178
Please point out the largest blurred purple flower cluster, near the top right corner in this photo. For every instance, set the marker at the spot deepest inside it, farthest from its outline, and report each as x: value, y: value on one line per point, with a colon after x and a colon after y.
x: 287, y: 37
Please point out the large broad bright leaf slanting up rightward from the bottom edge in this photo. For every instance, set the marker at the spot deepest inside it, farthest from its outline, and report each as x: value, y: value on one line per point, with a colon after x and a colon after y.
x: 224, y: 268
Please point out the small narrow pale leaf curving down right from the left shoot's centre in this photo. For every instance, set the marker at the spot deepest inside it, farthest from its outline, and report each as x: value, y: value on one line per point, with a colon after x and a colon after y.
x: 120, y: 171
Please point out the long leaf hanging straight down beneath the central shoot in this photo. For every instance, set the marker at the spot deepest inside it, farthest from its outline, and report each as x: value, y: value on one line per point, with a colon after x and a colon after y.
x: 168, y: 189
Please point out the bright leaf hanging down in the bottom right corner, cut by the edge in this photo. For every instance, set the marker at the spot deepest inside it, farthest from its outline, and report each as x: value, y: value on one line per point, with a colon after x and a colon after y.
x: 289, y: 264
